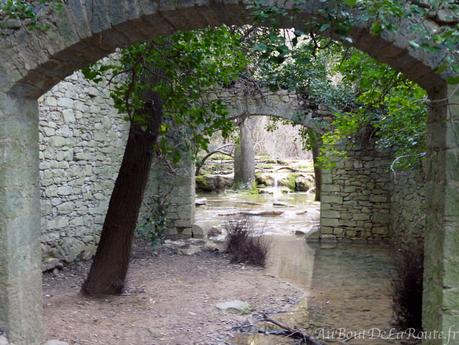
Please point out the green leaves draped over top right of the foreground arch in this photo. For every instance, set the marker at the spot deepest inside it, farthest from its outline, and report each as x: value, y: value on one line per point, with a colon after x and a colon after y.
x: 435, y: 22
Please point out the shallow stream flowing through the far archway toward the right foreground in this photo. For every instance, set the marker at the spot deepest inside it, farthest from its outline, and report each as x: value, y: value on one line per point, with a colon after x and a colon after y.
x: 347, y: 288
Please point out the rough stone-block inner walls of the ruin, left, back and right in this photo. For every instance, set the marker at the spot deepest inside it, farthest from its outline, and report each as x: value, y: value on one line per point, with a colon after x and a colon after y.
x: 82, y: 139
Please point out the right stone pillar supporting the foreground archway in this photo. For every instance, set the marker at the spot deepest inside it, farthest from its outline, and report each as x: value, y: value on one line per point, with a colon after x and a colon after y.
x: 441, y: 277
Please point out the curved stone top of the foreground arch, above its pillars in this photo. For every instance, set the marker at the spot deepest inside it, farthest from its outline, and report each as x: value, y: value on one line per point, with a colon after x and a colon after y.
x: 32, y: 62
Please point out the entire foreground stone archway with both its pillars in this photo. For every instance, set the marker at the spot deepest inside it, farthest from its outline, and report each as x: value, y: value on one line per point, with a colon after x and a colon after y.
x: 32, y: 62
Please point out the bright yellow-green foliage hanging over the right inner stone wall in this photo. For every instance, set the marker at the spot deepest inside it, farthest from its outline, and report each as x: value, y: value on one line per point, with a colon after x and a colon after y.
x: 388, y: 104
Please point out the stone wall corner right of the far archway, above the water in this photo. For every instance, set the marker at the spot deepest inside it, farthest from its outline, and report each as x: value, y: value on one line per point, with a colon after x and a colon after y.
x: 363, y: 201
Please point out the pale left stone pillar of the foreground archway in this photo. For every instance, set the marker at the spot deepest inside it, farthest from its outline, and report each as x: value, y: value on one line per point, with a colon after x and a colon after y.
x: 20, y: 258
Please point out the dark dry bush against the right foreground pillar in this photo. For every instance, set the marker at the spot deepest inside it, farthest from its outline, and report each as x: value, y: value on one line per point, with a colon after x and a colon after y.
x: 407, y: 288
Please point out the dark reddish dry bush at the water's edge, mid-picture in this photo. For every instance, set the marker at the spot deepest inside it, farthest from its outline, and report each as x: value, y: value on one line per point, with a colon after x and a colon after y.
x: 244, y: 248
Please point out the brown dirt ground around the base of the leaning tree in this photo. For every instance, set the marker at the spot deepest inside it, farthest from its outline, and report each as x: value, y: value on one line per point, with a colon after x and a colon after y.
x: 170, y: 300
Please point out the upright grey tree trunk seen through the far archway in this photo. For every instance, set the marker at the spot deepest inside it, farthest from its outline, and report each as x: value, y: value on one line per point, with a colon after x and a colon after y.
x: 244, y: 158
